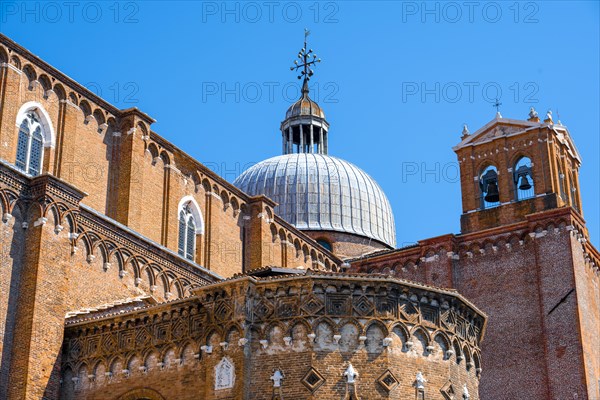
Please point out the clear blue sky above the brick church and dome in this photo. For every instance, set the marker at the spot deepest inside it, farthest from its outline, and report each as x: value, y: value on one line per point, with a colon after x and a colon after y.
x: 397, y: 82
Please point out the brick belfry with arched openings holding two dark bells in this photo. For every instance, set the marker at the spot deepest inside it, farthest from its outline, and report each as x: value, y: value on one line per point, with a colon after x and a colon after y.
x: 511, y: 168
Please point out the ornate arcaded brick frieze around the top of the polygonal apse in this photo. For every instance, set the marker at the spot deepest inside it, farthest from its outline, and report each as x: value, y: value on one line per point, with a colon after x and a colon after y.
x: 244, y: 308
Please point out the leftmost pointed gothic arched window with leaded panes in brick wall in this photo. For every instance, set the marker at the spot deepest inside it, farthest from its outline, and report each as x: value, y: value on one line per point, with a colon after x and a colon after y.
x: 30, y: 145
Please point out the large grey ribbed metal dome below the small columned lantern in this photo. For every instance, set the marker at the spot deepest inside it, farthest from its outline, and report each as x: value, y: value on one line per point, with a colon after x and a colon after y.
x: 323, y: 193
